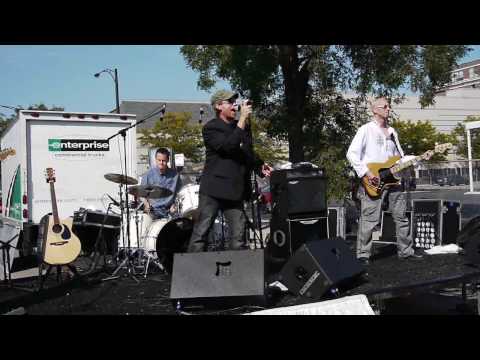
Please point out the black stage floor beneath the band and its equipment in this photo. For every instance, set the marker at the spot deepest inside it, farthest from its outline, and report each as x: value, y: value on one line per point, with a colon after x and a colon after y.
x: 400, y: 285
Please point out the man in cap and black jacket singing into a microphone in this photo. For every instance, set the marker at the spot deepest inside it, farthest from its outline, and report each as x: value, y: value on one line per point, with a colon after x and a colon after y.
x: 225, y: 180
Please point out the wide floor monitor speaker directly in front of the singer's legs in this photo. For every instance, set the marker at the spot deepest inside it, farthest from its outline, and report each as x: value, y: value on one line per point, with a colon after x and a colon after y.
x: 218, y: 278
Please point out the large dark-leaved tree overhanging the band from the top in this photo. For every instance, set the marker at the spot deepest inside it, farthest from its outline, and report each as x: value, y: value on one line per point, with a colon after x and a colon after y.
x: 299, y: 87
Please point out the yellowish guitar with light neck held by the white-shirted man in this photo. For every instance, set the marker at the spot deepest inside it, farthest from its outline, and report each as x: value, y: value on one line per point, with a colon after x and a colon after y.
x: 387, y: 172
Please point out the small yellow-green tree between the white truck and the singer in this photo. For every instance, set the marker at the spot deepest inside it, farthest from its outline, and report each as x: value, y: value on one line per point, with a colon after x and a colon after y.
x: 176, y: 132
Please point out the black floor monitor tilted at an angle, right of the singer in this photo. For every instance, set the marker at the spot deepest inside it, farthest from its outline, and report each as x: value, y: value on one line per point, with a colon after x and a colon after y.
x: 318, y: 267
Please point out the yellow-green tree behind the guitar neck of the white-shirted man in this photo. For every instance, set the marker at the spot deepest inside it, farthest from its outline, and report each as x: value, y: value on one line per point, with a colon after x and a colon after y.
x: 420, y: 136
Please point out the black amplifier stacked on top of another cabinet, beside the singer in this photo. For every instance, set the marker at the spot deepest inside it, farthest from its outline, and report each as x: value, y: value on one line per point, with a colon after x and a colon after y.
x: 299, y: 192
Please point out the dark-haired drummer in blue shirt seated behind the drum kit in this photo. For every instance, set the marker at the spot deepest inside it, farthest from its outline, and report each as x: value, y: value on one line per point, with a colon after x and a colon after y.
x: 165, y: 177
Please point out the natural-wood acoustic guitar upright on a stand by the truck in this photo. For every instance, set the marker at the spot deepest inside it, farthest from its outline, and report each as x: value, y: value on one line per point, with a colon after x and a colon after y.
x: 60, y: 245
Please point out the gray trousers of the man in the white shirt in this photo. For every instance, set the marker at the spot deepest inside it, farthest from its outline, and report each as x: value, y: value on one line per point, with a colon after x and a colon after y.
x: 370, y: 213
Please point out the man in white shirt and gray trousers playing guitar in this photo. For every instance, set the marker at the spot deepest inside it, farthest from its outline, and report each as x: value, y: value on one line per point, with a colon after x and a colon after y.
x: 376, y: 142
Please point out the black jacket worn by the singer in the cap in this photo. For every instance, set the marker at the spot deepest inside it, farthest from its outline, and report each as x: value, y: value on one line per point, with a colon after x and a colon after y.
x: 229, y: 161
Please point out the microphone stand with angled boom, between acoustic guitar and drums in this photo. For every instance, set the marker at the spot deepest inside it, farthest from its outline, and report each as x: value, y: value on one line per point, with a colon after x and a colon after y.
x: 128, y: 261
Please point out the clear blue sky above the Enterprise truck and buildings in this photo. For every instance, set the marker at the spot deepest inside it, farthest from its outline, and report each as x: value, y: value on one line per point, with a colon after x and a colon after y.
x: 62, y: 75
